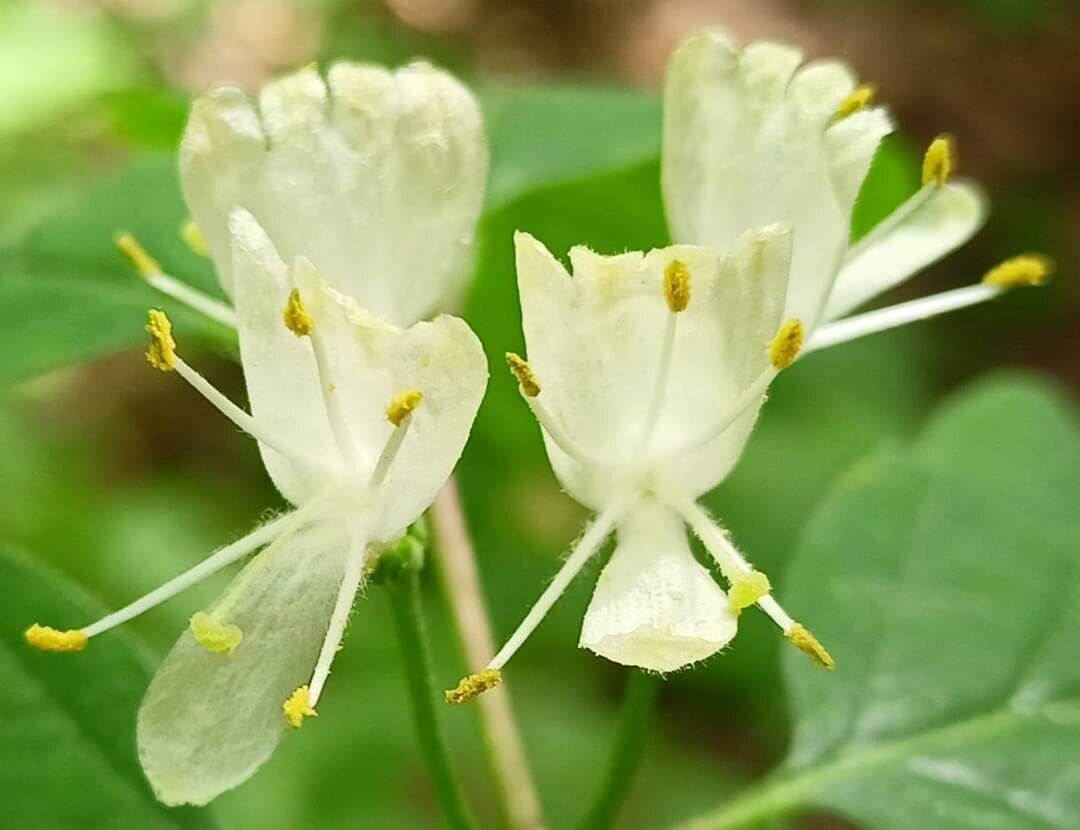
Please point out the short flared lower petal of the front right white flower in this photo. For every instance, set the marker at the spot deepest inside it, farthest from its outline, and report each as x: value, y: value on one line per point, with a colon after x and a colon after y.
x: 656, y: 607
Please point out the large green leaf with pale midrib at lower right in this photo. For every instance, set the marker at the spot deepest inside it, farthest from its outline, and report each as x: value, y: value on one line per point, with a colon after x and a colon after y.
x: 944, y: 579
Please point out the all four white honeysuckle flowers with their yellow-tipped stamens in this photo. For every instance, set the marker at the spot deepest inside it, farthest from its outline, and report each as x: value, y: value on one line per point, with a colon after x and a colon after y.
x: 340, y: 213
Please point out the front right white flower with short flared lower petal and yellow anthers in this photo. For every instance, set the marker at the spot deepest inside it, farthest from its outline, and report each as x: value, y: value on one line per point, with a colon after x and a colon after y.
x: 646, y: 374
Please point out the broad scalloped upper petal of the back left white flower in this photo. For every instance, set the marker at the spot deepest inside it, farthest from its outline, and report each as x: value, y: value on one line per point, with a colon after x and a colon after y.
x: 376, y: 176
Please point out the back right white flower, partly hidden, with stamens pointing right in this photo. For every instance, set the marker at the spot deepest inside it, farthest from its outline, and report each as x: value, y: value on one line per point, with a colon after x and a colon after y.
x: 753, y: 137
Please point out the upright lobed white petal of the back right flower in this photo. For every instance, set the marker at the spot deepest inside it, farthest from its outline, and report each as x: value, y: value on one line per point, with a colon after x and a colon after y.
x: 750, y: 140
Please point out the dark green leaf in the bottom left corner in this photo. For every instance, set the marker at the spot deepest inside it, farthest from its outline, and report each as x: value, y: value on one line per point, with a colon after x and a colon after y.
x: 67, y: 741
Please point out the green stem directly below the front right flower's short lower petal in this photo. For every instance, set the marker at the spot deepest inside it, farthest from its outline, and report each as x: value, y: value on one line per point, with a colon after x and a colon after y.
x: 636, y: 717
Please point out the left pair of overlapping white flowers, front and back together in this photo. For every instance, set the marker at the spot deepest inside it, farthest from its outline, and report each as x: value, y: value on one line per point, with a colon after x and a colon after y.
x: 359, y: 420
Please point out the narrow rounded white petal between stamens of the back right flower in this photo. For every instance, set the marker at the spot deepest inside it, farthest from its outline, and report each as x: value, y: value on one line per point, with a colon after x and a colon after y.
x: 933, y: 224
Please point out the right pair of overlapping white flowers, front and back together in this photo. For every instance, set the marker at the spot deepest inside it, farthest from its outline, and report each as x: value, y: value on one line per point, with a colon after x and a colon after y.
x: 647, y: 371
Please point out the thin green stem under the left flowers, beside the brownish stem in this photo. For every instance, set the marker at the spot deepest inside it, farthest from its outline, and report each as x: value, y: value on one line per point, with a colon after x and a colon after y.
x: 409, y: 619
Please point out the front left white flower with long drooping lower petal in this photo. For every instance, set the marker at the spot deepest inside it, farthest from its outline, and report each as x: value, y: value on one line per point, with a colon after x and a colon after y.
x: 360, y: 423
